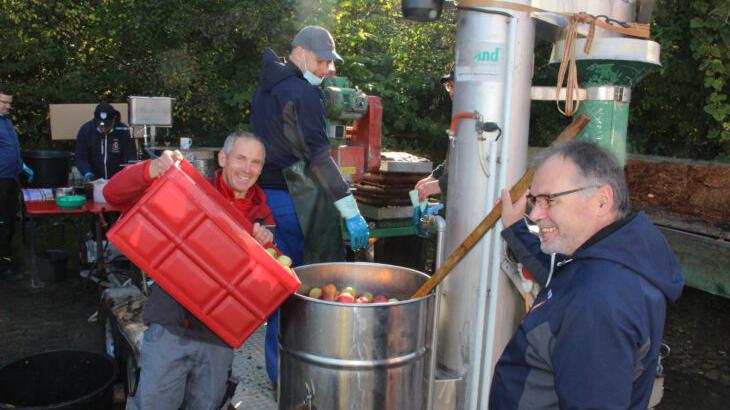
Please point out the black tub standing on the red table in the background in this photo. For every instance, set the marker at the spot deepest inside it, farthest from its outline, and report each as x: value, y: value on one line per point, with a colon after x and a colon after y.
x: 50, y: 168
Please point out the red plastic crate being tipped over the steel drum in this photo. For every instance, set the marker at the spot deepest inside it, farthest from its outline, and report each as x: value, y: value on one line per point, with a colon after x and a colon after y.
x: 193, y: 243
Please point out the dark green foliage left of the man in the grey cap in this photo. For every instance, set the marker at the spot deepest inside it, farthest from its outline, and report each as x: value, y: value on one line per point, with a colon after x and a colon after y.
x: 204, y: 54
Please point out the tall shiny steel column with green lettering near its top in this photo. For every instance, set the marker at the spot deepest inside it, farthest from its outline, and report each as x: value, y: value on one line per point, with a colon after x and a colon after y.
x: 481, y: 73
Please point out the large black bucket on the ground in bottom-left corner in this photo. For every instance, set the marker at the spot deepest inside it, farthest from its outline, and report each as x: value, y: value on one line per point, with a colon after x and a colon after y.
x: 62, y: 379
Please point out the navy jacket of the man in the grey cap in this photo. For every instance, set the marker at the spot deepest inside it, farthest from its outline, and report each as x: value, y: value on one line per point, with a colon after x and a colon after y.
x: 288, y: 114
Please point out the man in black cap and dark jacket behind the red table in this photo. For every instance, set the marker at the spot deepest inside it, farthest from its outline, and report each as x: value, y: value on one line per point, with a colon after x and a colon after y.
x: 103, y: 145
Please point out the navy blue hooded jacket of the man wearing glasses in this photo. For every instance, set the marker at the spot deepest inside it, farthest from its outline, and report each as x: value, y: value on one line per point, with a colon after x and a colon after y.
x: 592, y: 337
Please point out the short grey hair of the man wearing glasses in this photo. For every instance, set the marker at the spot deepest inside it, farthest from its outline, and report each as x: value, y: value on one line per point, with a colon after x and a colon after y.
x: 595, y: 165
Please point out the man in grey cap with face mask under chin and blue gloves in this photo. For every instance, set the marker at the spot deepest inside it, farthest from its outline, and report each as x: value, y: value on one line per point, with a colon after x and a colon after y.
x: 304, y: 187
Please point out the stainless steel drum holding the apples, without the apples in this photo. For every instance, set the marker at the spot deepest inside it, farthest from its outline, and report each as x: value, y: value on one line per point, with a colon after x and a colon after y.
x: 347, y: 356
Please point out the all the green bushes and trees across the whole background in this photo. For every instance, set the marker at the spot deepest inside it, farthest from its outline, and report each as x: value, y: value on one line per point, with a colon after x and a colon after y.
x: 206, y: 54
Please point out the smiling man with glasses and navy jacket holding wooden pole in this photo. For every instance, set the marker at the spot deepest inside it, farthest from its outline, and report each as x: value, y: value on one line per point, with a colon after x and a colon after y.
x: 592, y: 336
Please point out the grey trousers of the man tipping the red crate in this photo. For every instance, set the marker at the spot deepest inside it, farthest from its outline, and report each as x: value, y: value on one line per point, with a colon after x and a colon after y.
x: 179, y: 372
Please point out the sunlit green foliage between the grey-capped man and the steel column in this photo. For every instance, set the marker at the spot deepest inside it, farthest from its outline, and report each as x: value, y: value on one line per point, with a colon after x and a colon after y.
x: 401, y: 62
